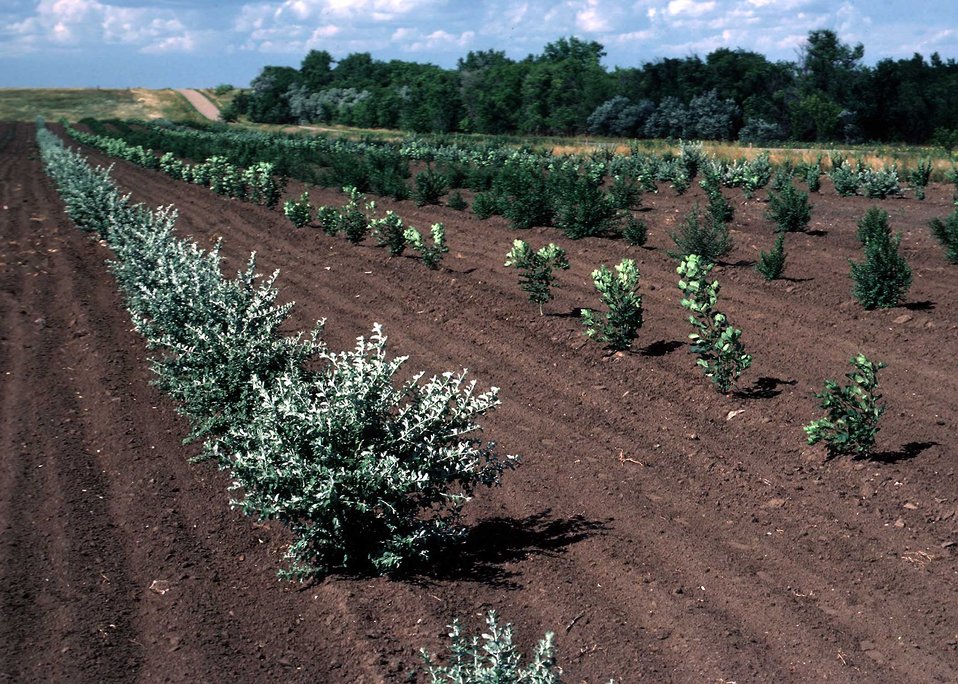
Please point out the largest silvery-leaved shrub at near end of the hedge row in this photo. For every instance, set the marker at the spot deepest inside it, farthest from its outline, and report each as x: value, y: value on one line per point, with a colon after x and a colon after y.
x: 367, y: 473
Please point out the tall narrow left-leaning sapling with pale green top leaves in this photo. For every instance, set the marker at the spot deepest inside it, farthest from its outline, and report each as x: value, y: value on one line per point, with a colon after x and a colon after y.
x: 717, y: 343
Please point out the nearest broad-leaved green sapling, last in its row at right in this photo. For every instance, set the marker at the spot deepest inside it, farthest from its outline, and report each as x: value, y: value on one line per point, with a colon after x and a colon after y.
x: 853, y: 411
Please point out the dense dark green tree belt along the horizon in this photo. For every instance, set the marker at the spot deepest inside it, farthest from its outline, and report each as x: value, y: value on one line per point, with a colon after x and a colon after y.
x: 827, y: 94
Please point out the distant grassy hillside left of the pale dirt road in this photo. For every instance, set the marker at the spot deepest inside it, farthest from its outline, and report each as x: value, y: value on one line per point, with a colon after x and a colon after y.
x: 75, y: 104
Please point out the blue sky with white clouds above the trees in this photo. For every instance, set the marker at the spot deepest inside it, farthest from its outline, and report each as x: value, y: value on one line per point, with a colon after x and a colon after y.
x: 177, y: 43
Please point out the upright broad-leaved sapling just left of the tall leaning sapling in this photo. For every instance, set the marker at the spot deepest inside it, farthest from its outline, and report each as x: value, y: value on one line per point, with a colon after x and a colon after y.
x: 623, y: 317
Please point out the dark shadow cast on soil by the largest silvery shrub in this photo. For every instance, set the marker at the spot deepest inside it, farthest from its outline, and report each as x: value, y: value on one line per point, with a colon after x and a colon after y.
x: 494, y: 542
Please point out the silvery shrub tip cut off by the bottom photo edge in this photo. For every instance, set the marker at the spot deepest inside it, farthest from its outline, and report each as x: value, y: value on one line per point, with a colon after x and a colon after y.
x: 494, y: 660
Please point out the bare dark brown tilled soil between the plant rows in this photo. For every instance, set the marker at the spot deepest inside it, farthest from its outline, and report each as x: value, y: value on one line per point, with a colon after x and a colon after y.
x: 664, y: 532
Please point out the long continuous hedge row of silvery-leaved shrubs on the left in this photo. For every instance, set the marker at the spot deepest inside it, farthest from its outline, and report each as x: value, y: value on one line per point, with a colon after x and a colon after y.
x: 366, y: 472
